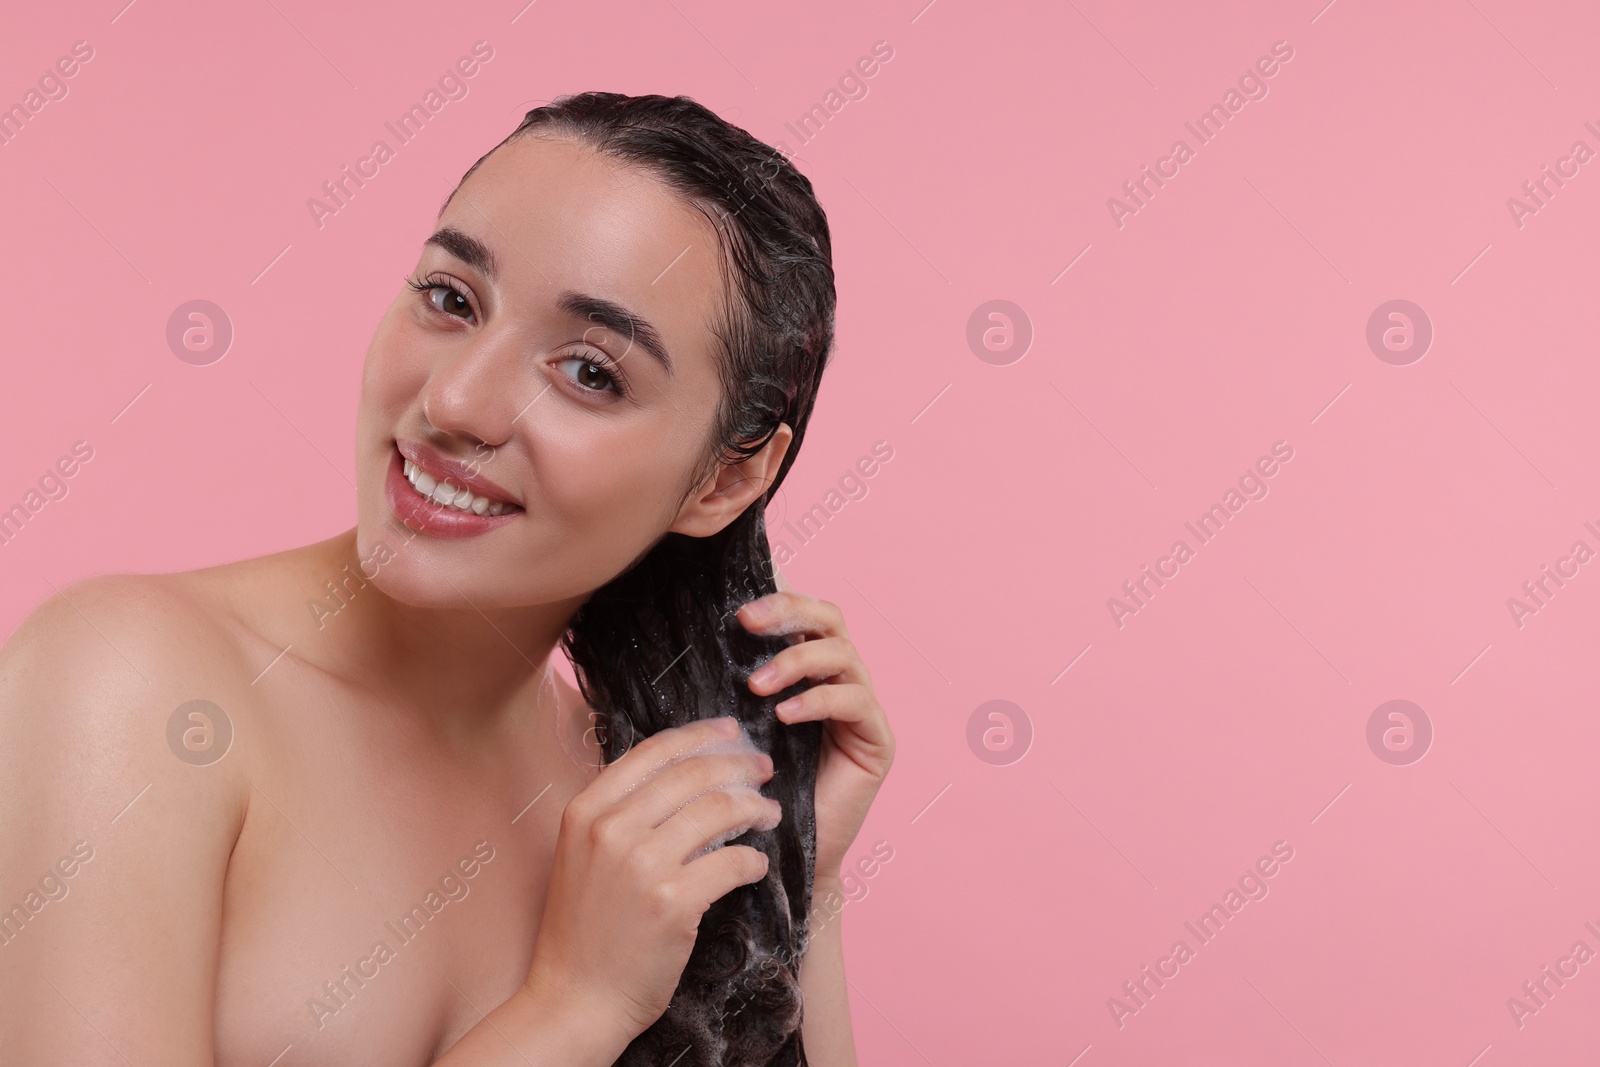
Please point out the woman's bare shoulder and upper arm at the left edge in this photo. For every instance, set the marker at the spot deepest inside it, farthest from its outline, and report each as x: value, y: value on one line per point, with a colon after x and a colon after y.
x: 113, y: 850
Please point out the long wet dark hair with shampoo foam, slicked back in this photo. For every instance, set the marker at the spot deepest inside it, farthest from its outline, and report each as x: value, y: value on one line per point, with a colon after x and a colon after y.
x: 660, y: 645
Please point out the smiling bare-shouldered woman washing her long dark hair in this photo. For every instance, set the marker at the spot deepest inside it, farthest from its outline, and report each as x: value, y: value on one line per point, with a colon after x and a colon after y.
x: 599, y: 372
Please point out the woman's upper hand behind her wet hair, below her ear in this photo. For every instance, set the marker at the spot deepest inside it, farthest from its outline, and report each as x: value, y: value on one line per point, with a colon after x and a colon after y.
x: 857, y: 743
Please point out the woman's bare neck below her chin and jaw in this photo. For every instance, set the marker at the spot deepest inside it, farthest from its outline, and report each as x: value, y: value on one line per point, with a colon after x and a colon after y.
x: 465, y: 668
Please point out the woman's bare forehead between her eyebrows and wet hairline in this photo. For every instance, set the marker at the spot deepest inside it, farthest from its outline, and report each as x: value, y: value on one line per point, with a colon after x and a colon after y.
x: 561, y: 217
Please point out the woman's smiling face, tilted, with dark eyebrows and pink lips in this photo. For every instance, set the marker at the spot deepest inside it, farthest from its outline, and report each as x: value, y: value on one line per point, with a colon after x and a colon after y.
x: 530, y: 390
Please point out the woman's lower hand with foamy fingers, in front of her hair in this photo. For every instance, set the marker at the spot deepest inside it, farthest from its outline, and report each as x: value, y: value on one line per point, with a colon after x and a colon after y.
x: 625, y: 905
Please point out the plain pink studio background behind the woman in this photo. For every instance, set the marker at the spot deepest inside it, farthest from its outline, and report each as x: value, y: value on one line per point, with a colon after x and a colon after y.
x: 1225, y: 316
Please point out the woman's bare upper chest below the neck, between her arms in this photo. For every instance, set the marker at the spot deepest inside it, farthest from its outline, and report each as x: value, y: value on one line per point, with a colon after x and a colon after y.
x: 380, y: 900
